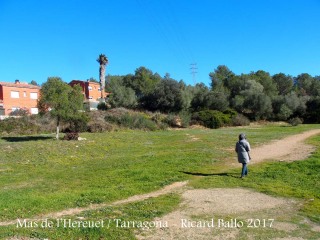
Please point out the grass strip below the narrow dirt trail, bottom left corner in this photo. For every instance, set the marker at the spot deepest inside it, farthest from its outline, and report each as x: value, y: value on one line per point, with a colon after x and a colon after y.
x: 144, y: 211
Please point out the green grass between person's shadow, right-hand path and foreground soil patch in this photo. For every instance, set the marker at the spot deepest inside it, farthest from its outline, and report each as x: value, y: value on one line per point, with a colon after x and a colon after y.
x: 299, y: 179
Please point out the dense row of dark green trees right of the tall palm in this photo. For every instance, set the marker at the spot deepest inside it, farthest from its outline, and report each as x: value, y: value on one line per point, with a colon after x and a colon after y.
x: 257, y: 95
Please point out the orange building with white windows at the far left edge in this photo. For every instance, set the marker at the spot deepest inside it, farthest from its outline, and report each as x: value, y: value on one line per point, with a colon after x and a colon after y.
x: 14, y: 96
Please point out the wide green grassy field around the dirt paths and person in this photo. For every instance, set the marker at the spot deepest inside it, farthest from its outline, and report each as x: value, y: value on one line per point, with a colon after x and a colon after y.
x: 40, y: 175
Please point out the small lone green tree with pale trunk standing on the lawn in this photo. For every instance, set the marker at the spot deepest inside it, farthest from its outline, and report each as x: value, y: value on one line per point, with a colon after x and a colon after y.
x: 63, y: 101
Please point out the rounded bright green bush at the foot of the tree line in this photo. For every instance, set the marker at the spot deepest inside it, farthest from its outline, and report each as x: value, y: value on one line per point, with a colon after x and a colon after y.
x: 212, y: 118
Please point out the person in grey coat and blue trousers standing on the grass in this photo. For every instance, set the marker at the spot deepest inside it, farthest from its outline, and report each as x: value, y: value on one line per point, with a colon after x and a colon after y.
x: 243, y: 149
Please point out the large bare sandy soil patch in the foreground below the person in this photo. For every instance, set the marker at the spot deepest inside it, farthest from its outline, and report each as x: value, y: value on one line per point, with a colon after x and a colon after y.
x: 207, y: 206
